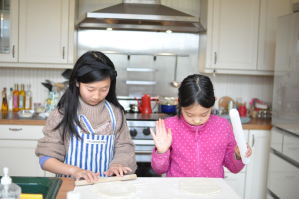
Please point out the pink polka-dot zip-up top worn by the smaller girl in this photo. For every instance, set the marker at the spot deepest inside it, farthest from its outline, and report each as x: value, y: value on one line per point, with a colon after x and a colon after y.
x: 198, y: 151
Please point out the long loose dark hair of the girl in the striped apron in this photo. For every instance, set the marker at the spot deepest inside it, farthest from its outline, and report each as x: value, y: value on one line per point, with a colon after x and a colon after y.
x: 68, y: 103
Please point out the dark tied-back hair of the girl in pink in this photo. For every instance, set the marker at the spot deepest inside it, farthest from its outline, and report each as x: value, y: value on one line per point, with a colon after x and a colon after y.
x: 196, y: 89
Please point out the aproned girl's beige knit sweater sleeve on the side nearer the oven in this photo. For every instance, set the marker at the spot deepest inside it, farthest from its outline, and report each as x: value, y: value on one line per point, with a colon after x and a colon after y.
x: 124, y: 148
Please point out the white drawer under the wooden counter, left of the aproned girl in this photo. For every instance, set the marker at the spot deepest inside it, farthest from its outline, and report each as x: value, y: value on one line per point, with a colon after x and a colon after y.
x: 21, y: 132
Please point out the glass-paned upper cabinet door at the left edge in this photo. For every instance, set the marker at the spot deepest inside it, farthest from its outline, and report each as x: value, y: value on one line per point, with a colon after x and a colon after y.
x: 9, y: 31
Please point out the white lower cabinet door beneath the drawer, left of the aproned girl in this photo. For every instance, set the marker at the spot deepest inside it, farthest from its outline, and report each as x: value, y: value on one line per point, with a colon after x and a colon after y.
x: 19, y: 157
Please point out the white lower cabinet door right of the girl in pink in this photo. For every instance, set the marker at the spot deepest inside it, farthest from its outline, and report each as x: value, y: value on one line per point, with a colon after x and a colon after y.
x: 257, y: 169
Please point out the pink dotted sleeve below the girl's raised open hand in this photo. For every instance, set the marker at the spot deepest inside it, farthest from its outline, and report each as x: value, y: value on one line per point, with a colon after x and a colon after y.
x: 160, y: 162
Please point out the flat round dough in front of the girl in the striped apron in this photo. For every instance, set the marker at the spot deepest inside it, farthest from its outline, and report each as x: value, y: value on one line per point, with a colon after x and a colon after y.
x: 116, y: 189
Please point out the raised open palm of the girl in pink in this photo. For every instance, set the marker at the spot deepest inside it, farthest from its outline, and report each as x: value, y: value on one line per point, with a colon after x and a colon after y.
x: 162, y: 138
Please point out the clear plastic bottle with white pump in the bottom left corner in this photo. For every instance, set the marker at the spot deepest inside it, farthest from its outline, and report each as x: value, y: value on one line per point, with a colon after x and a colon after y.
x: 7, y: 188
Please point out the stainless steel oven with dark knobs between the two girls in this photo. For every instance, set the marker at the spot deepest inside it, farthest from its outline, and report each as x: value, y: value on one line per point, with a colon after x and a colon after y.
x: 139, y: 126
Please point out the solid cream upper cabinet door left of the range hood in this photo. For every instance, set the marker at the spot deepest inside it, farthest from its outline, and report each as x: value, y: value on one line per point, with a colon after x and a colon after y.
x: 43, y: 31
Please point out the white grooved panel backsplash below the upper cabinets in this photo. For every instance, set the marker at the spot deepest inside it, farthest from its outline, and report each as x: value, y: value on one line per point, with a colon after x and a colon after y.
x: 234, y: 86
